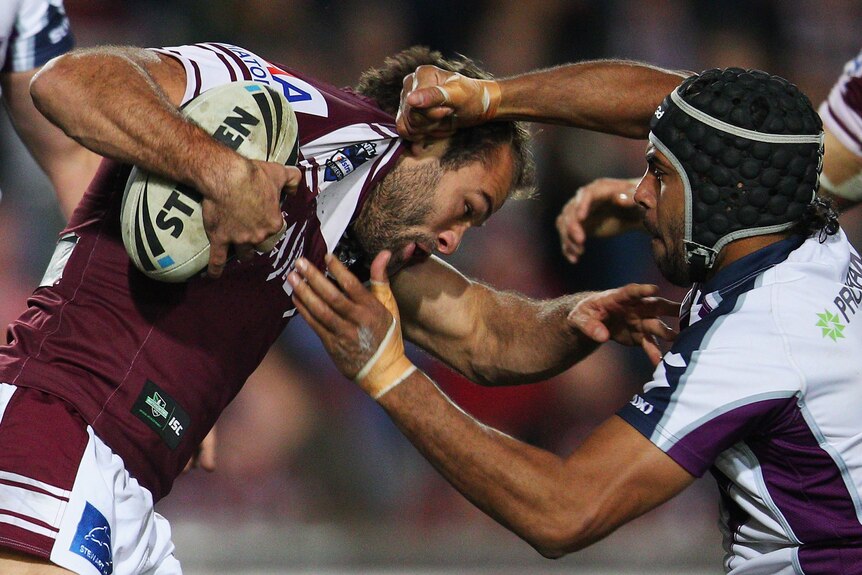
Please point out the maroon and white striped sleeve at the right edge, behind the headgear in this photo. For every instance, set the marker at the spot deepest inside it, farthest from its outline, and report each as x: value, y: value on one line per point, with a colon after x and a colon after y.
x: 842, y: 110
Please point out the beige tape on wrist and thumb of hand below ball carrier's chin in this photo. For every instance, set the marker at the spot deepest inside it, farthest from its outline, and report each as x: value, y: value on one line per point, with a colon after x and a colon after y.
x: 388, y: 366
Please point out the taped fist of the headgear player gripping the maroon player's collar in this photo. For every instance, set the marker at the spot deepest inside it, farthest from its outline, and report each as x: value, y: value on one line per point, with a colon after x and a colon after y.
x: 436, y: 102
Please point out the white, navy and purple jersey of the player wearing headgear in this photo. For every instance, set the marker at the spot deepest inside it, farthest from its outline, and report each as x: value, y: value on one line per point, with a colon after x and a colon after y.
x: 764, y: 387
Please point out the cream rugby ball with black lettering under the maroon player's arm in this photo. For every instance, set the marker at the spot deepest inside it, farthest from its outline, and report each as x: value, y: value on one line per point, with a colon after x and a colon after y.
x: 162, y: 221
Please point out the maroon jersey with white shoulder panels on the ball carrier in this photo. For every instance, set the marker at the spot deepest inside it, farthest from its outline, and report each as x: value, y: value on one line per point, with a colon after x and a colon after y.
x: 151, y: 365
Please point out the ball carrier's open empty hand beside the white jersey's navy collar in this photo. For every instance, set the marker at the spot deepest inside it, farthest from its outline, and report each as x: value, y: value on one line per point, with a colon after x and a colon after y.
x: 630, y: 315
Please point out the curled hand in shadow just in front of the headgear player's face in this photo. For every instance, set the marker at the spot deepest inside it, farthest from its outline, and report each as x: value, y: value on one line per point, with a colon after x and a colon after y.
x: 603, y: 208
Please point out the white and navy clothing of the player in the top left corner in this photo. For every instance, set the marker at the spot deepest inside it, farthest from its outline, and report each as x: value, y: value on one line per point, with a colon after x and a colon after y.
x: 31, y: 33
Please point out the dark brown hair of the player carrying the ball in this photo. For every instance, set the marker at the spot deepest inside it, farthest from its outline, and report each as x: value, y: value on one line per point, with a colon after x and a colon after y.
x: 467, y: 145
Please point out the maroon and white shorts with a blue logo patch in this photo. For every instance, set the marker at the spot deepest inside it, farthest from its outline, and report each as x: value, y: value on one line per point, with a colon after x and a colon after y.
x: 65, y: 496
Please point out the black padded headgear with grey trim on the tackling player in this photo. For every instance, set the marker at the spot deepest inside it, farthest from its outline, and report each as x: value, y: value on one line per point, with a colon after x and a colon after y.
x: 748, y: 147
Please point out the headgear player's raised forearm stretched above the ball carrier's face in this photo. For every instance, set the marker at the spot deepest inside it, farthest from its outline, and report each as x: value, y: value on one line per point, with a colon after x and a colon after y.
x: 617, y: 97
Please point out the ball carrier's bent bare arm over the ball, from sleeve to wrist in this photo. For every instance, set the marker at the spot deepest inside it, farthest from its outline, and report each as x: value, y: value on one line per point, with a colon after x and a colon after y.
x: 112, y: 101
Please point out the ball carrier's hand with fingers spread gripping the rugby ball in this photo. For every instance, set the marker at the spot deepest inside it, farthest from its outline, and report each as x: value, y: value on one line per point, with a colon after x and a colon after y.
x: 246, y: 213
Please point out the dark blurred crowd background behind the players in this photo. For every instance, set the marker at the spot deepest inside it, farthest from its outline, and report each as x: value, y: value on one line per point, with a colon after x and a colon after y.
x: 312, y: 476
